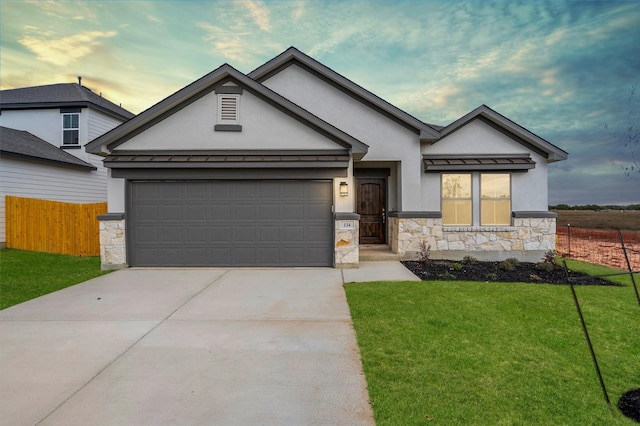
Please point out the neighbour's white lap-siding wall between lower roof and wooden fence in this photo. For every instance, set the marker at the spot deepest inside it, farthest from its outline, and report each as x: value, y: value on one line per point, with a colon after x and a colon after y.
x: 32, y: 179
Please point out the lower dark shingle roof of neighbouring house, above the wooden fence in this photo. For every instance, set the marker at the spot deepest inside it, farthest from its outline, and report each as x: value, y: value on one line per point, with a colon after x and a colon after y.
x: 23, y: 144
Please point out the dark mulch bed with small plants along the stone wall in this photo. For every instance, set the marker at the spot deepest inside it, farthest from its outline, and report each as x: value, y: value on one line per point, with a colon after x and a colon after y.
x: 495, y: 272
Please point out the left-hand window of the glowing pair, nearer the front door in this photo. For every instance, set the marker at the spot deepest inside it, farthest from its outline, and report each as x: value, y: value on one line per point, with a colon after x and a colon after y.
x: 456, y: 199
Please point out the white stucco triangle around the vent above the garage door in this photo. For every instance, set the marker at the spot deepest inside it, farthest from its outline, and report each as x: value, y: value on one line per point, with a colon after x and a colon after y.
x: 263, y: 127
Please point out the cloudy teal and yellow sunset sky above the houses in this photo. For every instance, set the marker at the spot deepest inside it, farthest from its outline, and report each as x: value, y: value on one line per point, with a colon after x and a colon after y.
x: 562, y: 69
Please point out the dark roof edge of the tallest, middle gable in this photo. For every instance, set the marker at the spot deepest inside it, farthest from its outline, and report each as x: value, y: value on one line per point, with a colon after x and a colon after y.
x: 294, y: 56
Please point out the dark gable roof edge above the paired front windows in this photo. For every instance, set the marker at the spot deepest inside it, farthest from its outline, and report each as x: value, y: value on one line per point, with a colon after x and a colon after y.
x: 509, y: 128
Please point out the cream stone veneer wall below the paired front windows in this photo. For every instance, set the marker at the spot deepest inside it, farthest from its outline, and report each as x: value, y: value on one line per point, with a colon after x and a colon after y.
x: 527, y: 239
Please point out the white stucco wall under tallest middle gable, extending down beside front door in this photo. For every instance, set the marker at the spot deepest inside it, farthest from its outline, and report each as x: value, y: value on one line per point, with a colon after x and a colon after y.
x: 388, y: 141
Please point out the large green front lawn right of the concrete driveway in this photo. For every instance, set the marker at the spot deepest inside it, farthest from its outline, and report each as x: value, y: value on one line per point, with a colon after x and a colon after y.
x: 499, y: 353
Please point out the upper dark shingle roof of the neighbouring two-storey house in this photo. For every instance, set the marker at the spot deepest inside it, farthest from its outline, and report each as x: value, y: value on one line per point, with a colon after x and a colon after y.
x: 59, y: 95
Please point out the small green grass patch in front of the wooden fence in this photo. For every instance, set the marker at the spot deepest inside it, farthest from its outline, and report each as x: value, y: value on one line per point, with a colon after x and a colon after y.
x: 25, y: 275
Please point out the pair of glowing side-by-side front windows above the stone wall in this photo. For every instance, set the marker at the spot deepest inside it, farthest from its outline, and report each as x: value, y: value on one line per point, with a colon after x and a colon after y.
x: 467, y: 196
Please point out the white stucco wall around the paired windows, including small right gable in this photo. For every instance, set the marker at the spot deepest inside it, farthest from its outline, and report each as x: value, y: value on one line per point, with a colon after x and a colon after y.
x: 528, y: 189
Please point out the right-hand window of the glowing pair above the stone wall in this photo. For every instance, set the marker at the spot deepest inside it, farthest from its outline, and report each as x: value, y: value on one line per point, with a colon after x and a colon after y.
x: 495, y: 199
